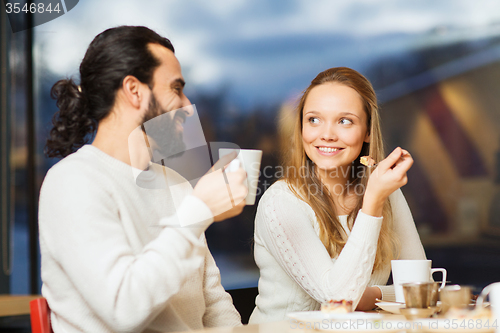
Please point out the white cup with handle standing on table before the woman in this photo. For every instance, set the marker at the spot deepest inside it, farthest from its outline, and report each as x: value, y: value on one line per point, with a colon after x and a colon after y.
x: 409, y: 271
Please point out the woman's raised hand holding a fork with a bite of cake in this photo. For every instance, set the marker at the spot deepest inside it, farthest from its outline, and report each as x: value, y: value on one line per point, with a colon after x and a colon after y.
x: 389, y: 175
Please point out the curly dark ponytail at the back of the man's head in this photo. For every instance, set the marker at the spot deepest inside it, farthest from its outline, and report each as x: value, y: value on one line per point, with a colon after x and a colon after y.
x: 71, y: 124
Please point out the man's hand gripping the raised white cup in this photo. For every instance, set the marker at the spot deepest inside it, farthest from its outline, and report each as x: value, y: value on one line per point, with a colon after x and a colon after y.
x: 225, y: 199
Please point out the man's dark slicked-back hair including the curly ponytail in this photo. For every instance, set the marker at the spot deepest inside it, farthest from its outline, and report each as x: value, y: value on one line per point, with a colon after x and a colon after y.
x: 110, y: 57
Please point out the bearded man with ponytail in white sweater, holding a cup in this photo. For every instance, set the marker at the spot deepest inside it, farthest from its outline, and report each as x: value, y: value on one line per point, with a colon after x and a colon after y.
x: 114, y: 258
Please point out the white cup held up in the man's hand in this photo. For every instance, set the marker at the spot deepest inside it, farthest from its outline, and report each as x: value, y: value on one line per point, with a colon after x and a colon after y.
x: 250, y: 161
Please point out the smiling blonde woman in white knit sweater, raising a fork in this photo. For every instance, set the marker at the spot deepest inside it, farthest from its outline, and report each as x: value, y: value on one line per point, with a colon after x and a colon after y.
x: 330, y: 228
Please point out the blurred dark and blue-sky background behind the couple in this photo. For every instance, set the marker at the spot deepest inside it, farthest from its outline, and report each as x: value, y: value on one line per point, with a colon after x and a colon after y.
x: 435, y: 66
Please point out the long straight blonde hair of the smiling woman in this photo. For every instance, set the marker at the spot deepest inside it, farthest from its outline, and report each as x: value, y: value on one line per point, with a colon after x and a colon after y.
x: 331, y: 231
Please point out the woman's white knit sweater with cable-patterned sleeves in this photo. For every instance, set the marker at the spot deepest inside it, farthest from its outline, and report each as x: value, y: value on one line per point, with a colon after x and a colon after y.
x: 296, y: 271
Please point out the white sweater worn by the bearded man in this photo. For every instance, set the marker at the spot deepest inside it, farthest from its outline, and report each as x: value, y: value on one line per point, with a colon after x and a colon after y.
x: 113, y: 256
